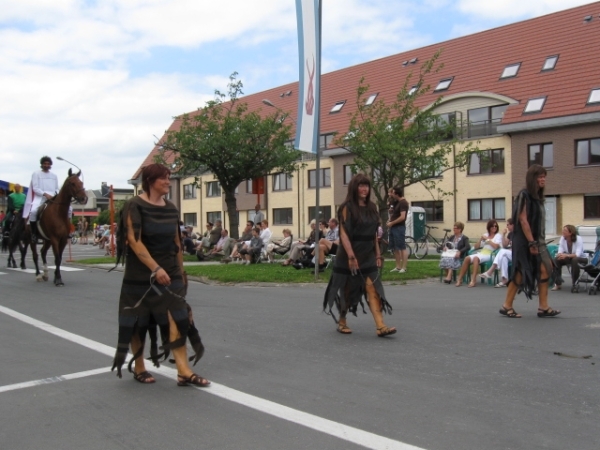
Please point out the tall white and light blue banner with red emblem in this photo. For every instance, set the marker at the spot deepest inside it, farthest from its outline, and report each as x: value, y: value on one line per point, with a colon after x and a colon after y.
x: 309, y: 50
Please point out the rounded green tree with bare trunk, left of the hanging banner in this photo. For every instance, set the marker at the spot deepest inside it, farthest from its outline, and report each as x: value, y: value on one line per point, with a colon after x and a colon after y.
x: 231, y: 142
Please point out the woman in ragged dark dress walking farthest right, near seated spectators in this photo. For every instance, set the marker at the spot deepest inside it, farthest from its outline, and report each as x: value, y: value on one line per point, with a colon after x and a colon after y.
x: 531, y: 261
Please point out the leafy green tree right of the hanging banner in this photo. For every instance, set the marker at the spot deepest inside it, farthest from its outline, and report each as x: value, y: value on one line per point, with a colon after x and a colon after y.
x: 401, y: 144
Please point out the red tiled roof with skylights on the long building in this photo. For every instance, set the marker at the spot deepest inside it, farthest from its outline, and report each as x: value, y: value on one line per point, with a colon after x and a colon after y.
x: 476, y: 63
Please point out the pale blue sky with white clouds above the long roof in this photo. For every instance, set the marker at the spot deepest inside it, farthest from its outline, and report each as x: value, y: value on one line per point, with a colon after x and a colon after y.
x: 96, y: 82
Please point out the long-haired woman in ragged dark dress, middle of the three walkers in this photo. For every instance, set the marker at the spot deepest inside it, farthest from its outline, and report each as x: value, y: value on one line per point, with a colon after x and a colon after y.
x: 358, y: 260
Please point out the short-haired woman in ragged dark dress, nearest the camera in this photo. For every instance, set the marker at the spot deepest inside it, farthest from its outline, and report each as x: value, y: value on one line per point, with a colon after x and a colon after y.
x: 154, y: 283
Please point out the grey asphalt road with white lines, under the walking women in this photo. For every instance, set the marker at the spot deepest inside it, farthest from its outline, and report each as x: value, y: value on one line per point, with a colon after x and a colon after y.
x: 457, y: 375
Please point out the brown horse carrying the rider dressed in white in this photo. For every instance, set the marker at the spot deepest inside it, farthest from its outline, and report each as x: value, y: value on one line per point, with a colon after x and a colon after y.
x: 54, y: 226
